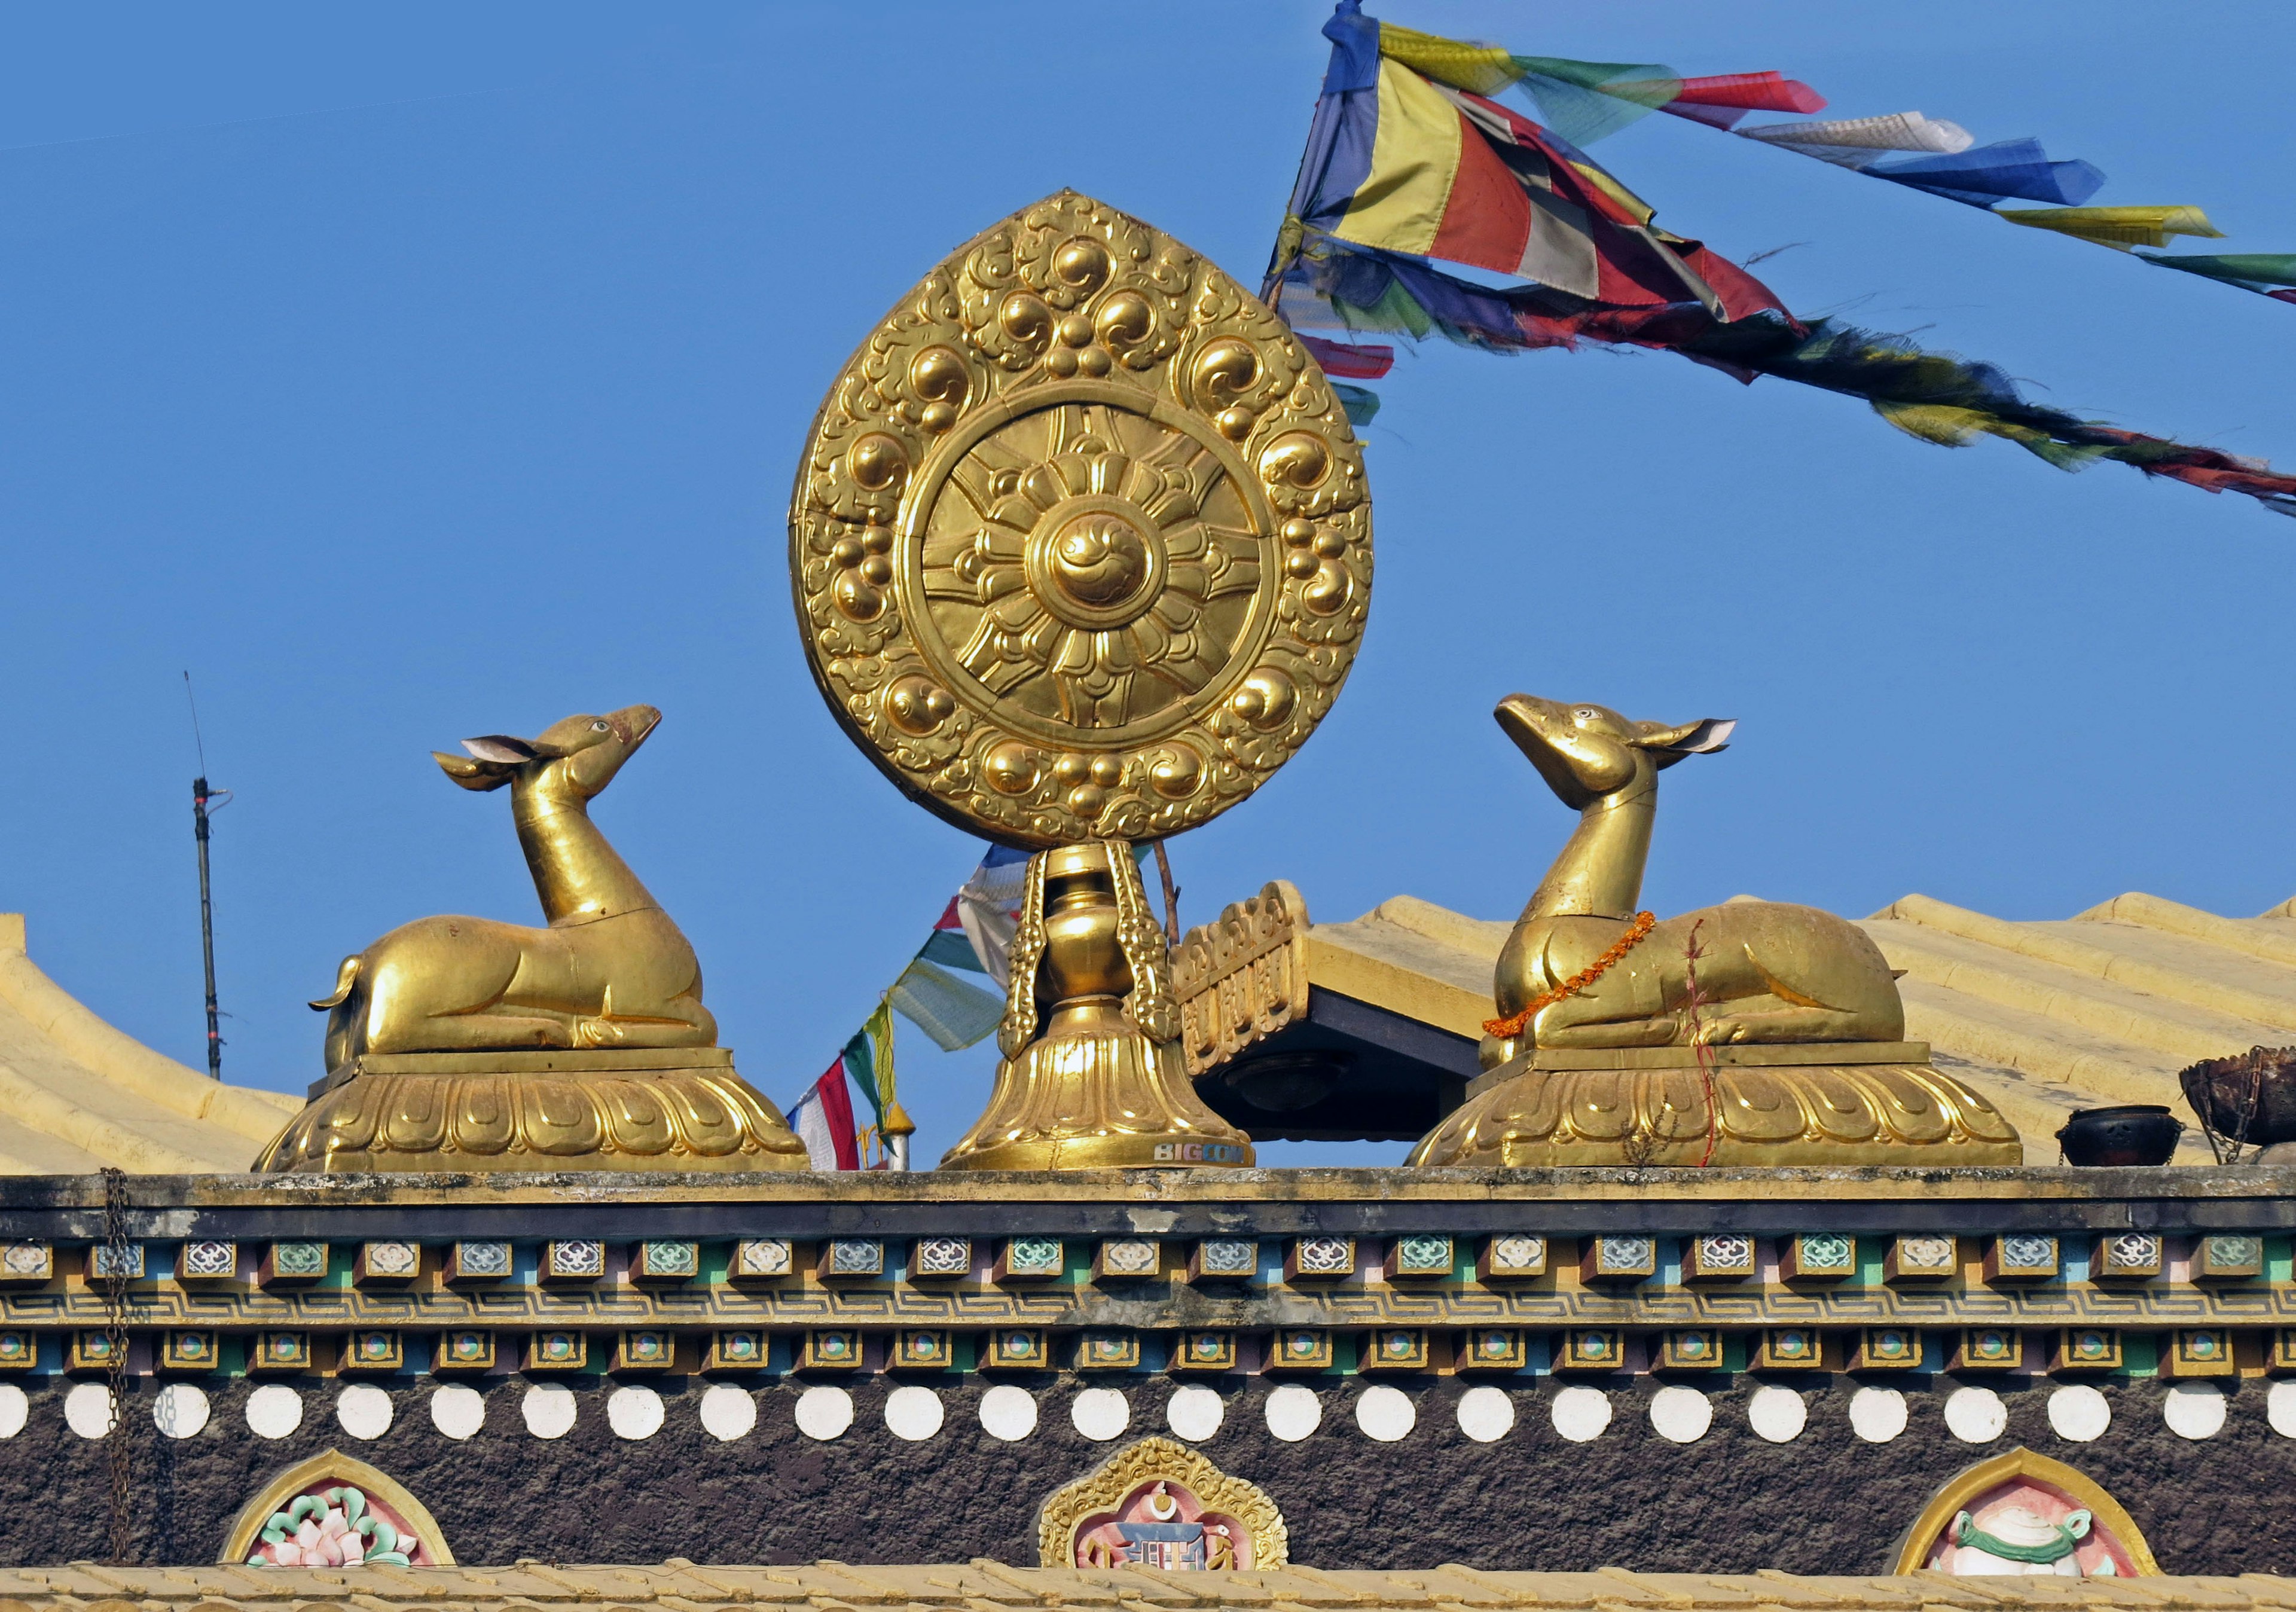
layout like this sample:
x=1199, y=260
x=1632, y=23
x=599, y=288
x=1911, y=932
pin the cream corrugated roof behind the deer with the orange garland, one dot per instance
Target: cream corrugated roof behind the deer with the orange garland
x=2045, y=1018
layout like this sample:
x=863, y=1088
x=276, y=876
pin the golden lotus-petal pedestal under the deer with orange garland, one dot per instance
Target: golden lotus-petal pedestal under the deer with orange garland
x=1806, y=1103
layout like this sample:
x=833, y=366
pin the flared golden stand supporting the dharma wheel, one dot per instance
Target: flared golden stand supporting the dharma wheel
x=1092, y=1074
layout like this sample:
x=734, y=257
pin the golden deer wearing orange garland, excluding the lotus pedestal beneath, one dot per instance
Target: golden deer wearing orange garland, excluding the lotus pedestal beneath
x=1767, y=972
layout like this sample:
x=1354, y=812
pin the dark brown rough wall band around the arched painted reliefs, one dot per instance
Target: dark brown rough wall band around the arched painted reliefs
x=1730, y=1503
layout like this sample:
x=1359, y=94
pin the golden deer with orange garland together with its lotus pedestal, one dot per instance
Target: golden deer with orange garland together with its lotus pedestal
x=1737, y=1034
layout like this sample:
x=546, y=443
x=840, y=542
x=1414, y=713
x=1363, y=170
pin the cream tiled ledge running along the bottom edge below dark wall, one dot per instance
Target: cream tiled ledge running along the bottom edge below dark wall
x=979, y=1586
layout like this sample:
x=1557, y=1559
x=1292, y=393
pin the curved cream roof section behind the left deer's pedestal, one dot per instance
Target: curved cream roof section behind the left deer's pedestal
x=77, y=1094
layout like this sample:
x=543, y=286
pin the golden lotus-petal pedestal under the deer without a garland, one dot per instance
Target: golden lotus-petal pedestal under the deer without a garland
x=676, y=1110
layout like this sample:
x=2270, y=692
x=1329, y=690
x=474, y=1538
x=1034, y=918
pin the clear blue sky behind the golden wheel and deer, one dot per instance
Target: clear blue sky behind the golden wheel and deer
x=424, y=371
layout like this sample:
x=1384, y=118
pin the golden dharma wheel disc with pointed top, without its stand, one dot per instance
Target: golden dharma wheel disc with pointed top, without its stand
x=1080, y=538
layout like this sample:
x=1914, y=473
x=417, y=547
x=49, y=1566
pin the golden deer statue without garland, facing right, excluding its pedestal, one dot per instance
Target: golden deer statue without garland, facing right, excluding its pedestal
x=610, y=970
